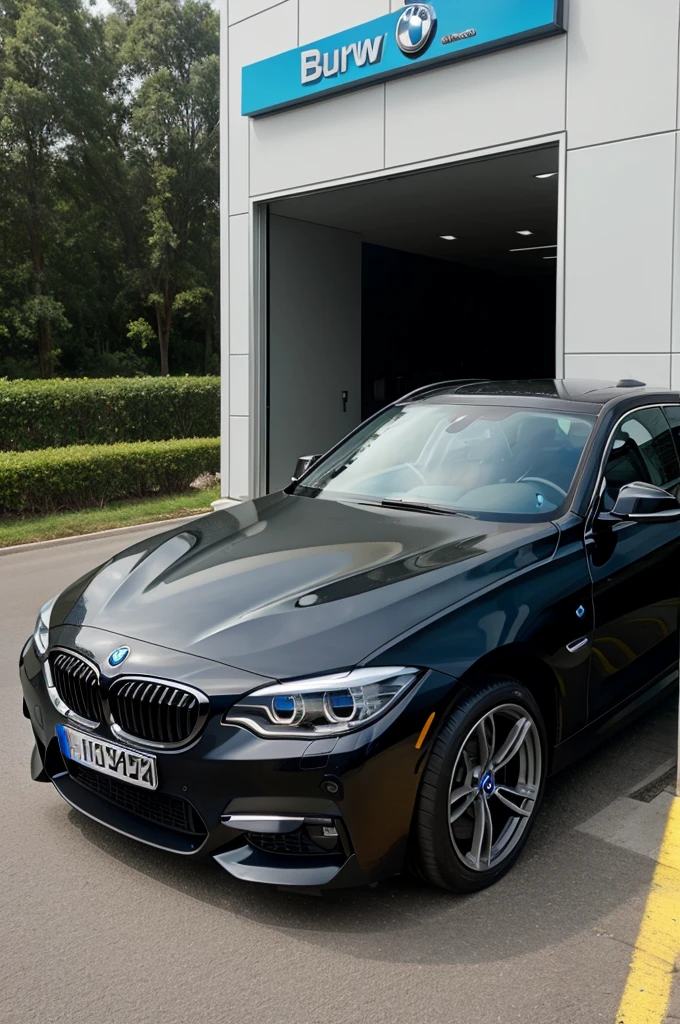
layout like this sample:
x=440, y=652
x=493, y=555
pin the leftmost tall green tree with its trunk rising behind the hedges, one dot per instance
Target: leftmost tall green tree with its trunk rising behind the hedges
x=54, y=89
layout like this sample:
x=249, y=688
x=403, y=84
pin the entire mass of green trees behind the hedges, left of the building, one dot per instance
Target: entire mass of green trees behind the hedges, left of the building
x=109, y=188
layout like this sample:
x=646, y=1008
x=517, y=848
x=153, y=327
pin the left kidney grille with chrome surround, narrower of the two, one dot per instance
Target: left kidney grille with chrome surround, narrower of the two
x=73, y=687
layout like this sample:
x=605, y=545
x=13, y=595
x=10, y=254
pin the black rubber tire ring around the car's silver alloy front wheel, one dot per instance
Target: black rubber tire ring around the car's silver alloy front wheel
x=439, y=861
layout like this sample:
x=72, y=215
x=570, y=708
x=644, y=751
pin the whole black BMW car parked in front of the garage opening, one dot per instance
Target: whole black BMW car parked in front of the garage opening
x=381, y=665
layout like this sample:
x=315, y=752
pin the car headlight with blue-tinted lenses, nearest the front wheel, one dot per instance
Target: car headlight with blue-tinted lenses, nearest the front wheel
x=329, y=706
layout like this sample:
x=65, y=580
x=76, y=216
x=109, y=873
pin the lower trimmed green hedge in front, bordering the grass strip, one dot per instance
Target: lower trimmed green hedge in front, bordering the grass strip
x=84, y=477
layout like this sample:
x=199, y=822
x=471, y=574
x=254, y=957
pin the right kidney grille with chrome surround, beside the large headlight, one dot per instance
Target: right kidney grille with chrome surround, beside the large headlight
x=156, y=713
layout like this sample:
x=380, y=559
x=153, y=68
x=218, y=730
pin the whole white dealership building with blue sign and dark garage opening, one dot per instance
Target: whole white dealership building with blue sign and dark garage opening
x=456, y=190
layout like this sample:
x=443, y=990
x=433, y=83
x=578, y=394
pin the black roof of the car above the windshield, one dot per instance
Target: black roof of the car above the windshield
x=586, y=396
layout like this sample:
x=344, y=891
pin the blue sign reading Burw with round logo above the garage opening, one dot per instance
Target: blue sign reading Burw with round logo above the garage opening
x=418, y=37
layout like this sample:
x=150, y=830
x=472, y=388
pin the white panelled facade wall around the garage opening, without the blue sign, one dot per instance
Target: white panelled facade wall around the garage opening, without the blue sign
x=611, y=86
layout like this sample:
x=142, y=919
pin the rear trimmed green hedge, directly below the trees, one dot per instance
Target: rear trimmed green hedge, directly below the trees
x=56, y=414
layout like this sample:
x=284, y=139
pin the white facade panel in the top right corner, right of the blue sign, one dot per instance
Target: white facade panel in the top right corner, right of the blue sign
x=623, y=69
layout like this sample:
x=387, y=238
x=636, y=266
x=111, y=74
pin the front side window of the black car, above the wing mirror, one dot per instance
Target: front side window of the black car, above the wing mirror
x=644, y=451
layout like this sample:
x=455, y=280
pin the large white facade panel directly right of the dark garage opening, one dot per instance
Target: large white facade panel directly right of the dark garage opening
x=620, y=210
